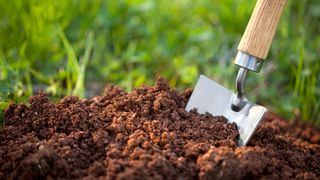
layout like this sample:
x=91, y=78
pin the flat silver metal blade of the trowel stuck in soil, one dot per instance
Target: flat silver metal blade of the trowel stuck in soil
x=209, y=96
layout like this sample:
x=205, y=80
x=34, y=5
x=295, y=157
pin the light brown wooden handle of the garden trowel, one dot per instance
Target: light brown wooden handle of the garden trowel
x=260, y=30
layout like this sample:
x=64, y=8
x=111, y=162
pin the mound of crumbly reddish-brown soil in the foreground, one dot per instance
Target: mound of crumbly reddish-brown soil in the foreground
x=146, y=134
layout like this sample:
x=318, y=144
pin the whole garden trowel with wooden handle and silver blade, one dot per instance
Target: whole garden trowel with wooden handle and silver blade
x=209, y=96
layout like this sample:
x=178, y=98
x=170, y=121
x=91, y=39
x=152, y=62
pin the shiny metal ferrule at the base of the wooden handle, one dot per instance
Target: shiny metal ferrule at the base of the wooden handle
x=249, y=62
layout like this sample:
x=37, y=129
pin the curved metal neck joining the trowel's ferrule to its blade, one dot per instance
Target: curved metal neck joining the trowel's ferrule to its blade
x=240, y=99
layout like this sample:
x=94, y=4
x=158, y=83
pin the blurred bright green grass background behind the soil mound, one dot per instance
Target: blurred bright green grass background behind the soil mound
x=76, y=47
